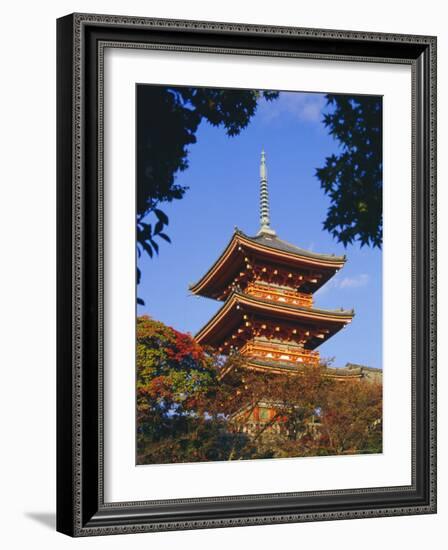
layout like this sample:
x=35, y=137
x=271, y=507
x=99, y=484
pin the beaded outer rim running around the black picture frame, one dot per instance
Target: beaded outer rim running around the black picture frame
x=69, y=453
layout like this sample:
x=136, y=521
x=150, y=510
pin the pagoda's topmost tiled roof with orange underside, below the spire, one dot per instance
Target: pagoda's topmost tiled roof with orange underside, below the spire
x=266, y=247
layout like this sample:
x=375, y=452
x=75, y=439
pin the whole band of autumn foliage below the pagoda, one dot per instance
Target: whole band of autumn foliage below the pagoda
x=186, y=409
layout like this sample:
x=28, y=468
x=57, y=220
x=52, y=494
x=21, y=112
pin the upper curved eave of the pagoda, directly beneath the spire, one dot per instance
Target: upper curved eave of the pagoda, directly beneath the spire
x=223, y=270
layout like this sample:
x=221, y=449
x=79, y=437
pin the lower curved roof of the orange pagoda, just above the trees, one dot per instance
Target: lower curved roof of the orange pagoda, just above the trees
x=229, y=317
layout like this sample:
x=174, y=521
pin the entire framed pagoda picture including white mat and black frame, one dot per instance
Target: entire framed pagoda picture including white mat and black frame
x=246, y=274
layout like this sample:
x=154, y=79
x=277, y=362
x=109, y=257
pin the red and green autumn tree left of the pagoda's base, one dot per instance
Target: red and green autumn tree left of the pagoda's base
x=179, y=414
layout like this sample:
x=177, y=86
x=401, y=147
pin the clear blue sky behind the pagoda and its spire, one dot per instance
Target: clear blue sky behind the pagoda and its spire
x=223, y=193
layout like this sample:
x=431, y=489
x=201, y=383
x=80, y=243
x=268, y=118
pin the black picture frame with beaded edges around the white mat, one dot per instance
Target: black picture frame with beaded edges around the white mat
x=81, y=510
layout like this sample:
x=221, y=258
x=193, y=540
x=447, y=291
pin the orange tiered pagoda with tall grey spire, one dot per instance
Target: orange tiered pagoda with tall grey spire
x=268, y=315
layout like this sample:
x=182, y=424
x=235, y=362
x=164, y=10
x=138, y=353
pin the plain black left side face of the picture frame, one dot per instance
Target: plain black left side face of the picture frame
x=65, y=371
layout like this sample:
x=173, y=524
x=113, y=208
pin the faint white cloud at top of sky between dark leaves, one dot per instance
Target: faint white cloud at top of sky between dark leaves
x=305, y=107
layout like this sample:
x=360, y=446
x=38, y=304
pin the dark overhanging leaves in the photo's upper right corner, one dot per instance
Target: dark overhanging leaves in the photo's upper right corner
x=353, y=177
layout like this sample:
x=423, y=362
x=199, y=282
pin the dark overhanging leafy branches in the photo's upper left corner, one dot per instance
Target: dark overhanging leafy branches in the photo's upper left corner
x=168, y=119
